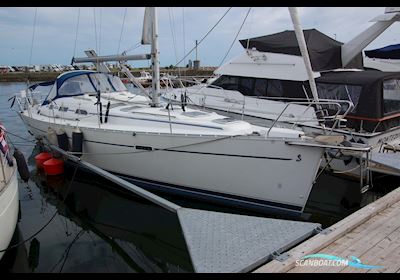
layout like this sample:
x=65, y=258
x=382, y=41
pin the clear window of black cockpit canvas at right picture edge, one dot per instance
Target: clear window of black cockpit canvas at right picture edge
x=391, y=96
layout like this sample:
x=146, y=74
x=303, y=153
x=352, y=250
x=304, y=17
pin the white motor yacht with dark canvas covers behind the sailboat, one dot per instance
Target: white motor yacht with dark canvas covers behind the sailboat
x=269, y=83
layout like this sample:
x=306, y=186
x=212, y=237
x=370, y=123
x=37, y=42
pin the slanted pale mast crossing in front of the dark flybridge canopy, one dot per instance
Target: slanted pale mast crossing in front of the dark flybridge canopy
x=303, y=49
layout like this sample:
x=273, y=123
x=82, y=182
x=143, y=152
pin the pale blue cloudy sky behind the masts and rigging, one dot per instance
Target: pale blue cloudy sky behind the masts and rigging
x=56, y=29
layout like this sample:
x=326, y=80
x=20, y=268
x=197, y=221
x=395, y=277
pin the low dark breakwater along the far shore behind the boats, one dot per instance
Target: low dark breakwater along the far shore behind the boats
x=46, y=76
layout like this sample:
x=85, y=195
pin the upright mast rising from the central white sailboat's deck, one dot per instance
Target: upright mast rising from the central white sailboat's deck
x=155, y=61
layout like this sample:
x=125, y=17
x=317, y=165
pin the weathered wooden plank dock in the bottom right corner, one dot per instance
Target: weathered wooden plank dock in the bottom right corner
x=371, y=234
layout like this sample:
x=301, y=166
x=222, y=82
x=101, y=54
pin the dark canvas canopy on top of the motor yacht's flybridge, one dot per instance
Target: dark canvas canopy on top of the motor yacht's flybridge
x=325, y=52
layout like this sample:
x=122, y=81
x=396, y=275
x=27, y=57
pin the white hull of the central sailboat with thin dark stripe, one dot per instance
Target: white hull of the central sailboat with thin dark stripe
x=252, y=170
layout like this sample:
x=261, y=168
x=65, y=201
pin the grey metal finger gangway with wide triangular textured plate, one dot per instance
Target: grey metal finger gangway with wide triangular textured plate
x=221, y=242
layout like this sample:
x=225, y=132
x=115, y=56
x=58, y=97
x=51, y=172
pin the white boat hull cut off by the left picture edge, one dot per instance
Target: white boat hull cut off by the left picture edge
x=8, y=194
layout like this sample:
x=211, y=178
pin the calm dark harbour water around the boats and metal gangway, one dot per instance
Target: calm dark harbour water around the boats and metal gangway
x=96, y=226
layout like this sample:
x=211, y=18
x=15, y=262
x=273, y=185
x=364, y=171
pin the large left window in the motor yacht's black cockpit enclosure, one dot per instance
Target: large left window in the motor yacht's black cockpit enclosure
x=339, y=92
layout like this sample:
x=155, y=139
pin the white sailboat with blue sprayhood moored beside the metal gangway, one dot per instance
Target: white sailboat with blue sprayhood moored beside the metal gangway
x=174, y=148
